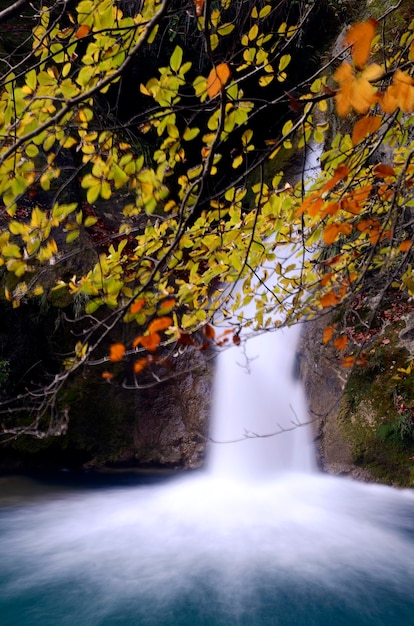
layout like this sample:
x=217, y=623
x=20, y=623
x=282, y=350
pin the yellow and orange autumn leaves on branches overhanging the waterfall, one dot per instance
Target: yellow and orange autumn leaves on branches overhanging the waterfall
x=191, y=178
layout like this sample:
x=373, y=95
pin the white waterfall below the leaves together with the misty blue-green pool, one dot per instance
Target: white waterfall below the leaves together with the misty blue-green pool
x=259, y=538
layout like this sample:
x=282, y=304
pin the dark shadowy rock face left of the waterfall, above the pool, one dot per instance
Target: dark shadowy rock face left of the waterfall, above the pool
x=162, y=426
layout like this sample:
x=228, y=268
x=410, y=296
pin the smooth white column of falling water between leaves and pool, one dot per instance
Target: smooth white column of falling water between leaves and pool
x=257, y=392
